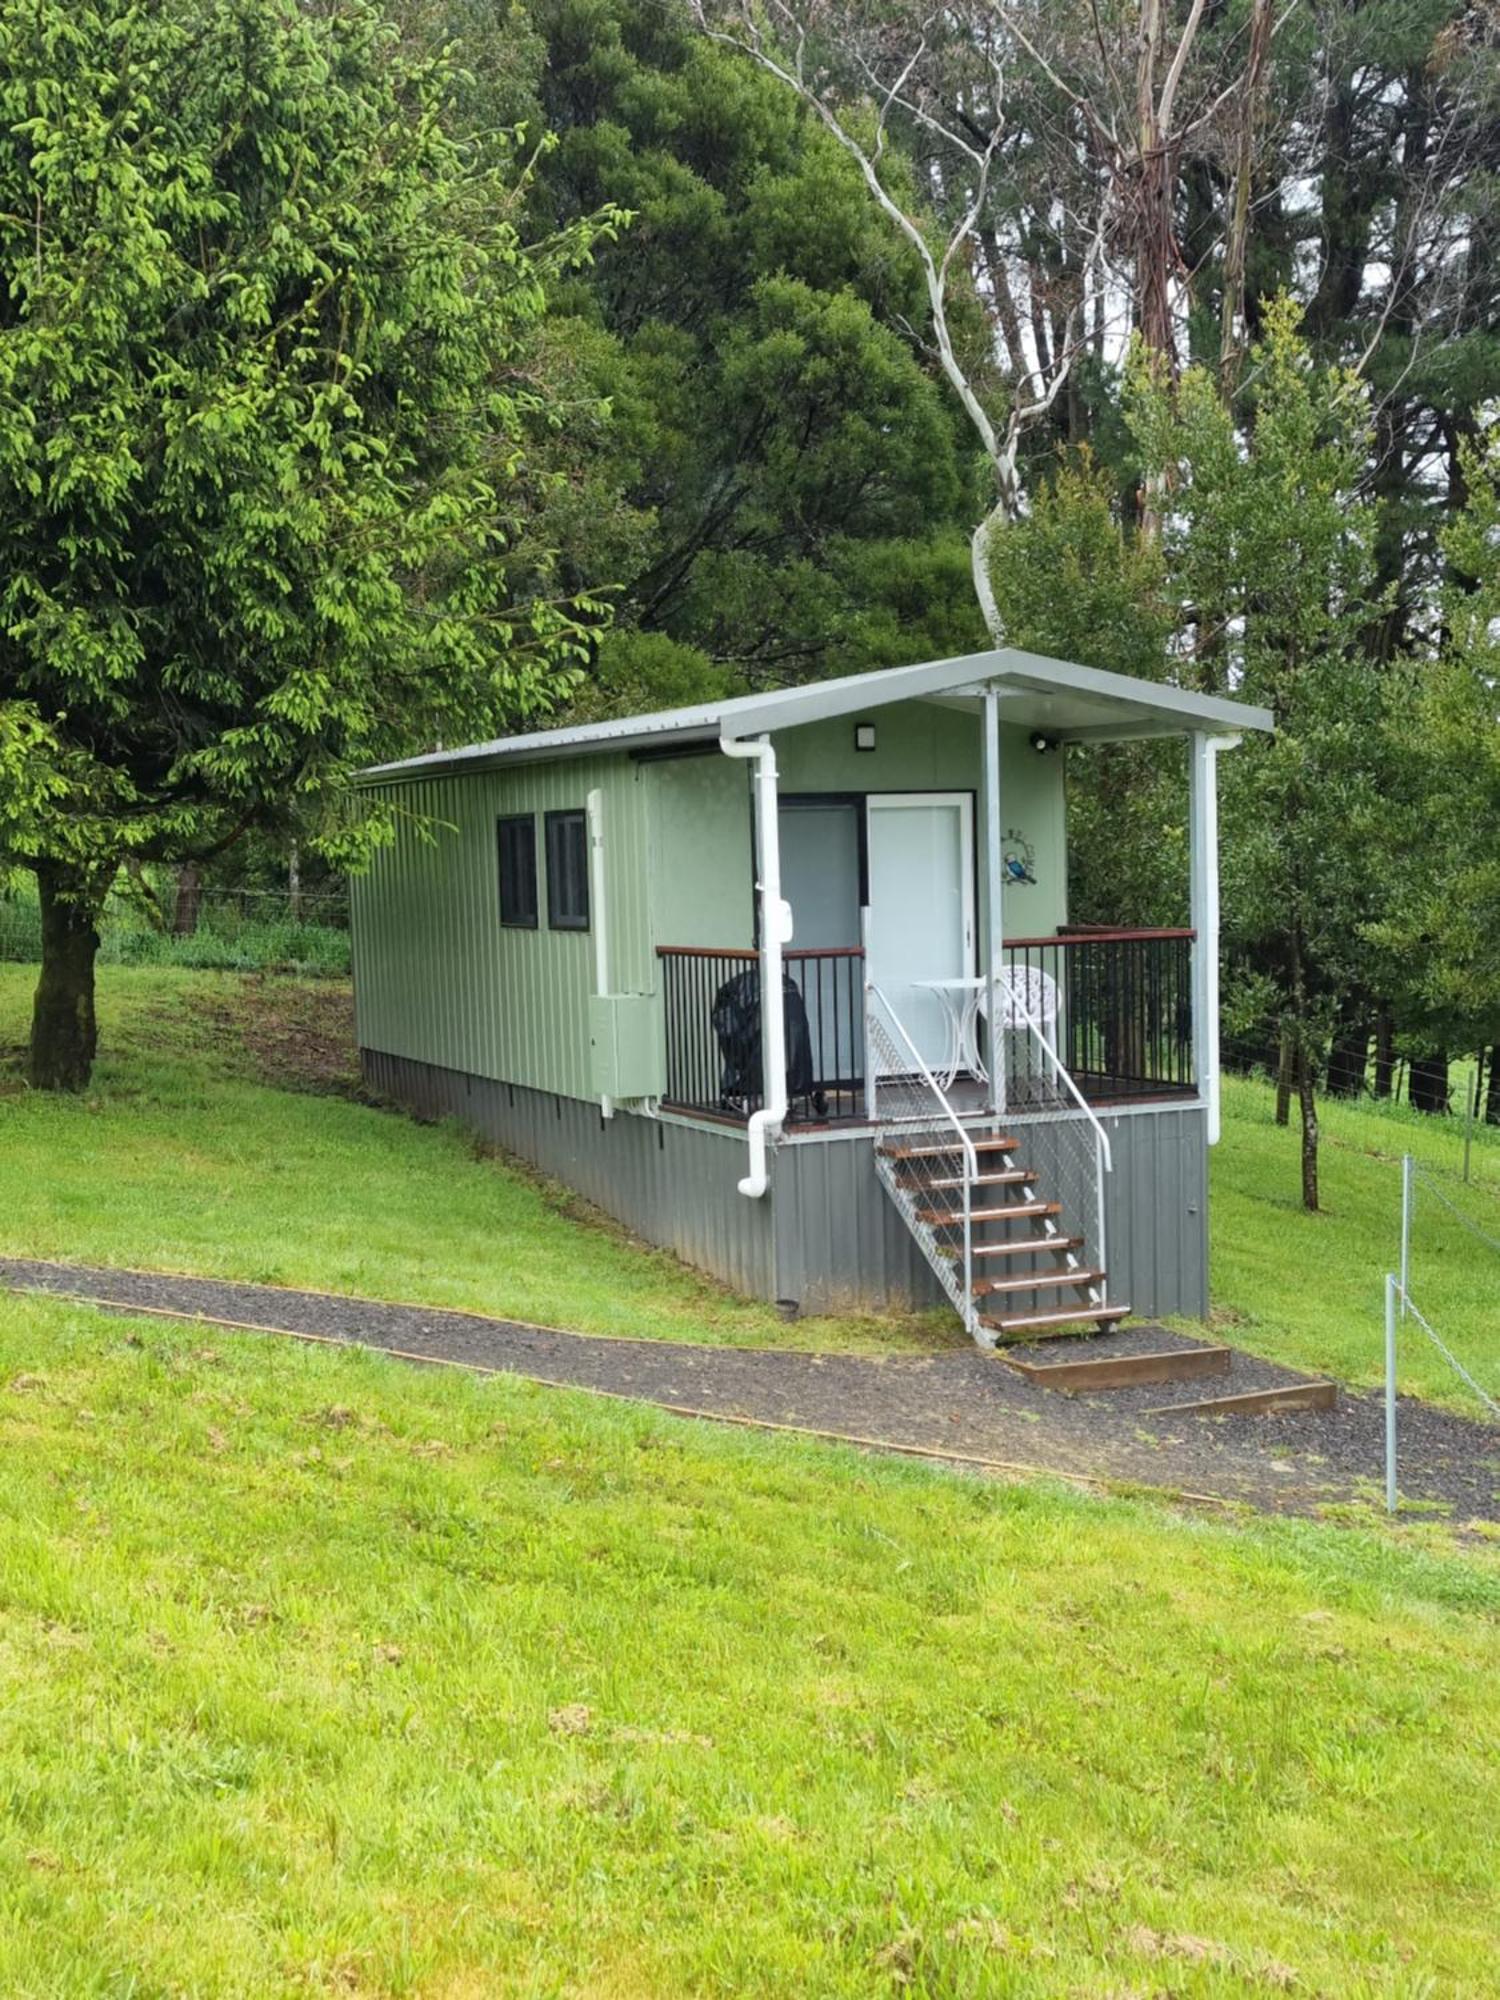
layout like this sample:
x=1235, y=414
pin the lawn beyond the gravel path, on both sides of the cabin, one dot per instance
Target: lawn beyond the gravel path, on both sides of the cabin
x=185, y=1159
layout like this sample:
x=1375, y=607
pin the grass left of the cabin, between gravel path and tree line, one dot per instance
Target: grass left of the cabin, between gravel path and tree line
x=181, y=1157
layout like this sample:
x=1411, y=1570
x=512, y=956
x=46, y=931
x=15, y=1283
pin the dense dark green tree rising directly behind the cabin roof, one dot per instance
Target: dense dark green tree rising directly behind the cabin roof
x=781, y=463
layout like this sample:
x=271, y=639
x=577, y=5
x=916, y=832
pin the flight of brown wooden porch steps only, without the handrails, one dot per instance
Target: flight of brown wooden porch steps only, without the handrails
x=989, y=1215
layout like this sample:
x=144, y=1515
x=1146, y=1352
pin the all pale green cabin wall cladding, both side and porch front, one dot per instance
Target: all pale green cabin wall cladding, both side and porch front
x=443, y=983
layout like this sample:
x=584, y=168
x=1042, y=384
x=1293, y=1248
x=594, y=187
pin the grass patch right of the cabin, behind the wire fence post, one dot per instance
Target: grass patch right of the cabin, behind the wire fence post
x=1309, y=1291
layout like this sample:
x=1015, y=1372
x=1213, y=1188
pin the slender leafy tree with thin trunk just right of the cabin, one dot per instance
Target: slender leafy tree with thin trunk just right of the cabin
x=1269, y=549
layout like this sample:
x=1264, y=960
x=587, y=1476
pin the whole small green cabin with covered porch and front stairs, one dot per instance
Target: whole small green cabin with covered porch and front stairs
x=789, y=985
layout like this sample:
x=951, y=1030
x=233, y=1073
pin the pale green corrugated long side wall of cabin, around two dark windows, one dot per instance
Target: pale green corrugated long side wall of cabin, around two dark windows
x=439, y=979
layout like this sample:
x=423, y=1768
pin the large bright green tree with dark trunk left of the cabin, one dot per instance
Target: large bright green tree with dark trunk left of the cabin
x=263, y=435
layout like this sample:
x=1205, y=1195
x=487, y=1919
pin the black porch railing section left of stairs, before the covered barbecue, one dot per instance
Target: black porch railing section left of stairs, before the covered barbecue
x=713, y=1033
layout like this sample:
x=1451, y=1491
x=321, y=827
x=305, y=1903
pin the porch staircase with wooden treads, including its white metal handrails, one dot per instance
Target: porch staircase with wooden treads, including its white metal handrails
x=1009, y=1253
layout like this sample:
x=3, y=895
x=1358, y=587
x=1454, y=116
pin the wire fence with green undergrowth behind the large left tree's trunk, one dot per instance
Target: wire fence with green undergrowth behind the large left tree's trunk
x=217, y=929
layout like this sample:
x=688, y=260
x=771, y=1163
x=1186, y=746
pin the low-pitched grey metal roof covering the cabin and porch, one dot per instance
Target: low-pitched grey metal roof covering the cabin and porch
x=1059, y=697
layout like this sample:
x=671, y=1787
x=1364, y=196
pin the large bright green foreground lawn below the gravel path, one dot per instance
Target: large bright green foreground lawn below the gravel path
x=321, y=1675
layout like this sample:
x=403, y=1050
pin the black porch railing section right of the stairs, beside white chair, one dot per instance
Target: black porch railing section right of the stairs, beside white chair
x=1119, y=1009
